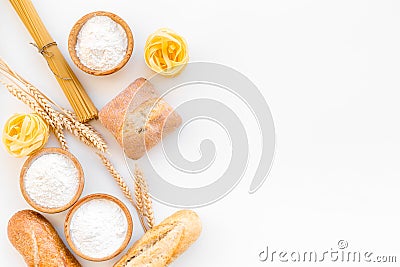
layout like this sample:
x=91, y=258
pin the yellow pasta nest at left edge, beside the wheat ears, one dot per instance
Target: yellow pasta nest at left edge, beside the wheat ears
x=24, y=134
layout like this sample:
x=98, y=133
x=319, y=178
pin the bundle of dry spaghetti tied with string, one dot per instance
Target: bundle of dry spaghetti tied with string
x=73, y=90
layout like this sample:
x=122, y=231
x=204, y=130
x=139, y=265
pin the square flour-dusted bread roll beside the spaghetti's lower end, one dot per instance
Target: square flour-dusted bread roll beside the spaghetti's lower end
x=138, y=118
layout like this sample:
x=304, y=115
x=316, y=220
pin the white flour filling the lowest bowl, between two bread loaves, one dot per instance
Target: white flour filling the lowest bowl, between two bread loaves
x=98, y=228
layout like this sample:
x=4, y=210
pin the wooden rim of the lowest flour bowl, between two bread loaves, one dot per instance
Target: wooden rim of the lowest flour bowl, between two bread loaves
x=77, y=206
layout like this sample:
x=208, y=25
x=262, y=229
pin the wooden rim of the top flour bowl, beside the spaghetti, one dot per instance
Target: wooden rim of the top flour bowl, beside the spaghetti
x=74, y=35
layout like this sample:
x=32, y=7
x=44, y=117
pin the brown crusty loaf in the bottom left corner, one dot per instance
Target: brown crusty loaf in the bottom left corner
x=38, y=242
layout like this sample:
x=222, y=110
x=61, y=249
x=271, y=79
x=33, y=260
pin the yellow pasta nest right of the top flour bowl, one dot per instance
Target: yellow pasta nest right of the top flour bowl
x=166, y=52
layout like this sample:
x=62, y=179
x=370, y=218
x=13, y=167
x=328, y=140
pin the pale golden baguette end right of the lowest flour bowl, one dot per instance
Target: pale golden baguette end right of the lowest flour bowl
x=165, y=242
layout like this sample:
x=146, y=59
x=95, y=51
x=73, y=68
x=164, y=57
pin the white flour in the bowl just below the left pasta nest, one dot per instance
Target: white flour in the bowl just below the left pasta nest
x=51, y=180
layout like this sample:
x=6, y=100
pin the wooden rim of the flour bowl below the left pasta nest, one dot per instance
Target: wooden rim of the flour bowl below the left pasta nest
x=28, y=163
